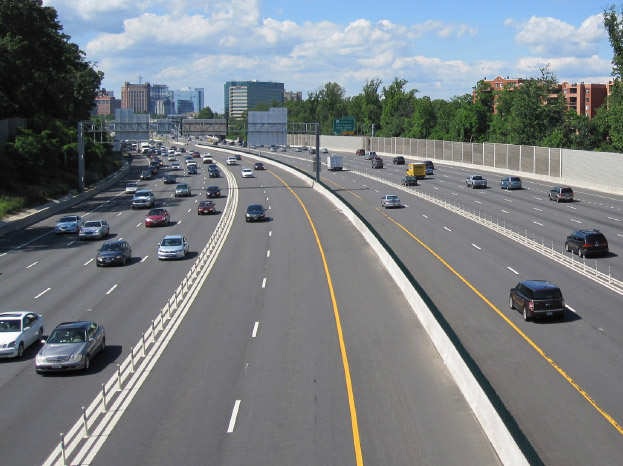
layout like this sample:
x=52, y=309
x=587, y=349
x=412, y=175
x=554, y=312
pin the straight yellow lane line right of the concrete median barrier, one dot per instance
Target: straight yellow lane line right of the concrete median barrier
x=517, y=329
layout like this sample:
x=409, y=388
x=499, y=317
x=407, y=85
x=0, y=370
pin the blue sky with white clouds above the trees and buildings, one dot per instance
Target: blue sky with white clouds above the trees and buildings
x=442, y=49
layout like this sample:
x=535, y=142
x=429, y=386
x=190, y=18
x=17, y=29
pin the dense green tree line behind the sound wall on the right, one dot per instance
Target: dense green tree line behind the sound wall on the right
x=533, y=113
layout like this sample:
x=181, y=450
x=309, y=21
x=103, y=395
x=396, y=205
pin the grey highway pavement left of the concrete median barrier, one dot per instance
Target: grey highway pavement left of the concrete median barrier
x=260, y=364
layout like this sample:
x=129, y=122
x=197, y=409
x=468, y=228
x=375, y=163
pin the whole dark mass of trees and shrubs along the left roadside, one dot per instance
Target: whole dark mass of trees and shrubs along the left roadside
x=45, y=79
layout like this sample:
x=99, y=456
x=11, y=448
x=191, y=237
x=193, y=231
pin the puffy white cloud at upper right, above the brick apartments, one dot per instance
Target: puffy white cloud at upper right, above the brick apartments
x=556, y=38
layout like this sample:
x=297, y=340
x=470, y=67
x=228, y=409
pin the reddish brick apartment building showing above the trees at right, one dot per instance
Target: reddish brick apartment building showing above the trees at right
x=582, y=98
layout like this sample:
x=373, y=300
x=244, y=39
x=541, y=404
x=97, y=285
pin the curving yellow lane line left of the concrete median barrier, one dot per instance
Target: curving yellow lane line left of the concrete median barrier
x=338, y=324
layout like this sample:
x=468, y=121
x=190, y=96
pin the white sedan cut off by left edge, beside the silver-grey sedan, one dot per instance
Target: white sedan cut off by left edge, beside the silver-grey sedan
x=19, y=330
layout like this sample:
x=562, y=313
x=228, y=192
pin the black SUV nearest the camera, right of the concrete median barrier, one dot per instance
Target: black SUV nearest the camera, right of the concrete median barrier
x=536, y=299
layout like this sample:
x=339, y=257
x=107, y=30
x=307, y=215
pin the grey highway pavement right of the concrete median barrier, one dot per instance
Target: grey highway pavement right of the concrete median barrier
x=559, y=379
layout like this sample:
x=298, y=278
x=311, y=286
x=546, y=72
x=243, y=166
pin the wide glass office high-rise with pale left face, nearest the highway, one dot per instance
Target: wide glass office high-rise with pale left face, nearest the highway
x=242, y=96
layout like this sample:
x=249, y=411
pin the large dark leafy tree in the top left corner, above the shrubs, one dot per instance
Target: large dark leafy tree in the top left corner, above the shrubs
x=41, y=72
